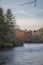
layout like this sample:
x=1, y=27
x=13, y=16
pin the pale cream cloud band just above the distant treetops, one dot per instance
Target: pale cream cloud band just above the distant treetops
x=30, y=23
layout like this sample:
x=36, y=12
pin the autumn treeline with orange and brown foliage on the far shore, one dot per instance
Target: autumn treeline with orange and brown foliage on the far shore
x=29, y=36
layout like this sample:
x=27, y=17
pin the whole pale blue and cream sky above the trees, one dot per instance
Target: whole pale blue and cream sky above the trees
x=27, y=16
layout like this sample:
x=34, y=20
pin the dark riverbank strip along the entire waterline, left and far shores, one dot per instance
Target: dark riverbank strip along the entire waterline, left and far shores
x=15, y=45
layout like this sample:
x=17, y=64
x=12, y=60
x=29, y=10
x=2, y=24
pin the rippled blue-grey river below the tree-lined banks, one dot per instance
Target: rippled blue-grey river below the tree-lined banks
x=29, y=54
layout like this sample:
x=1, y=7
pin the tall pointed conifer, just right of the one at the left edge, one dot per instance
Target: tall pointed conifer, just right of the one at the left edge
x=10, y=27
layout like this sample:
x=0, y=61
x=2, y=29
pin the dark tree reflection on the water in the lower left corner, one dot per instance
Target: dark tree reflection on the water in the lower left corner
x=6, y=57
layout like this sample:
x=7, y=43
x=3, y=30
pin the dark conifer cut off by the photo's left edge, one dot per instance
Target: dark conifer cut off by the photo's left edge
x=2, y=26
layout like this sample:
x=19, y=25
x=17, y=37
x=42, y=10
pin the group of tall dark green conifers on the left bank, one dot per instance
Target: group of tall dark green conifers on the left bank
x=7, y=28
